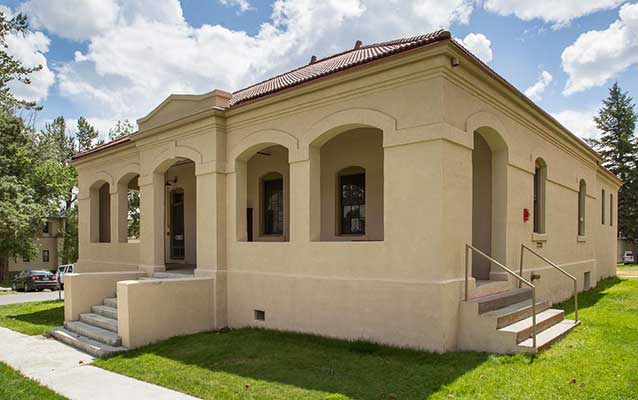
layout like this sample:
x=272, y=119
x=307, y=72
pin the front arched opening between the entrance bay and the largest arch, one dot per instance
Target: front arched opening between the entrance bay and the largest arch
x=263, y=195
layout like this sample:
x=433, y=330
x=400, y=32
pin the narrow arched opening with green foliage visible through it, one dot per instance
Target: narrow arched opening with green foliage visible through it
x=128, y=196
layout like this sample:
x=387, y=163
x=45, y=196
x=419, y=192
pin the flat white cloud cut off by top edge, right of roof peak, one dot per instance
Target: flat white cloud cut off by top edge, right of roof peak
x=558, y=12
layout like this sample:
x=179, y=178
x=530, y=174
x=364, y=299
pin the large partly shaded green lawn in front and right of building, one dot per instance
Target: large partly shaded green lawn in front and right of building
x=596, y=361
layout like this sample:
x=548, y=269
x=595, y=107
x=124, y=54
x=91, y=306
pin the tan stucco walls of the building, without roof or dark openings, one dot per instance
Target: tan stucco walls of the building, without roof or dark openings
x=404, y=289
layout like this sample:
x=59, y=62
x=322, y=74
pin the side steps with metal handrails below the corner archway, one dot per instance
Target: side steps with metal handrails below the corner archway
x=502, y=323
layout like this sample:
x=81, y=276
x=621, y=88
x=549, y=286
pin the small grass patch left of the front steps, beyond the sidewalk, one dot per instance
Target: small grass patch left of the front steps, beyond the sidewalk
x=33, y=318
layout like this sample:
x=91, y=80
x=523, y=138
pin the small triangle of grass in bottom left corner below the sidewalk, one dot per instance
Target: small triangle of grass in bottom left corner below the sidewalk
x=14, y=386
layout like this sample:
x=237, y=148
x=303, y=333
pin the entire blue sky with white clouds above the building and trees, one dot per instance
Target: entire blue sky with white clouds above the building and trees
x=116, y=59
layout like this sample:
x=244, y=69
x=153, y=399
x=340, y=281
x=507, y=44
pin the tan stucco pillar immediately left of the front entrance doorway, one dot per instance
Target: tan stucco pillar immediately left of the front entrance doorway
x=152, y=222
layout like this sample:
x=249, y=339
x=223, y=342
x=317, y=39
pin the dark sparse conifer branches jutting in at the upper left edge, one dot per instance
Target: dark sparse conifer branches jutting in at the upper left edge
x=12, y=69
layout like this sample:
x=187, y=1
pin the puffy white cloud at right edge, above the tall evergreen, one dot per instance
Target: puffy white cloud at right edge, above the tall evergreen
x=596, y=56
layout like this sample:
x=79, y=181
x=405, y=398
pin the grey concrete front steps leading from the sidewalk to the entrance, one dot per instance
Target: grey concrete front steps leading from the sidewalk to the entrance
x=95, y=333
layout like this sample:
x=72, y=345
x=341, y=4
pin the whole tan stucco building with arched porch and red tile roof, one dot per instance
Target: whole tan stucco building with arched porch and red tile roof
x=338, y=199
